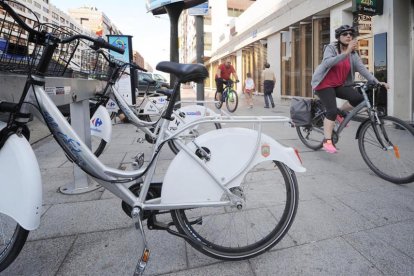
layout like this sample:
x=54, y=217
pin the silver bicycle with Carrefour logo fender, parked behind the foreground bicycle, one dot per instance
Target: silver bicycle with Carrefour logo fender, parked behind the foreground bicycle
x=142, y=118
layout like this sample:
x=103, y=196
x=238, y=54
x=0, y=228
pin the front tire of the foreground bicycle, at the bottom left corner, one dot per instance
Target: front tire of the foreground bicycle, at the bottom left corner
x=11, y=245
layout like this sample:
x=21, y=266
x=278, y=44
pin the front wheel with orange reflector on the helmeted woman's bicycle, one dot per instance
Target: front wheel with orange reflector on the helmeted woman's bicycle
x=395, y=161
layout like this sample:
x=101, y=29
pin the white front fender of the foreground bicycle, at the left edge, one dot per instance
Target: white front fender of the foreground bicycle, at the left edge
x=21, y=184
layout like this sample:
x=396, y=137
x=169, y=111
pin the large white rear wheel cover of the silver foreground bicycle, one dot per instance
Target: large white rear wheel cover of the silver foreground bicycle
x=230, y=149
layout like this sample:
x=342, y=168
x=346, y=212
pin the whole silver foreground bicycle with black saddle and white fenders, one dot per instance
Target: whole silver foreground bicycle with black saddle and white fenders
x=215, y=202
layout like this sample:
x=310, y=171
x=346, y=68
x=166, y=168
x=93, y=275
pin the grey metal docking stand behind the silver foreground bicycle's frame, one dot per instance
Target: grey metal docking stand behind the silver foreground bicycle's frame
x=62, y=91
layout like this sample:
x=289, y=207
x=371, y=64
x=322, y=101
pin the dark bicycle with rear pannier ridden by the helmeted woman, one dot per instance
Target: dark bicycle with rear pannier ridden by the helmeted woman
x=386, y=143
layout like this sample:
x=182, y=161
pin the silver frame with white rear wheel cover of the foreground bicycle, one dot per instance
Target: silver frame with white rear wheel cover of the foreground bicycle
x=172, y=197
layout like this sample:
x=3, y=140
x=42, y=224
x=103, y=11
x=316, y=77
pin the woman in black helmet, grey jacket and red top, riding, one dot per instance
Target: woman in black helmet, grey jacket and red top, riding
x=334, y=78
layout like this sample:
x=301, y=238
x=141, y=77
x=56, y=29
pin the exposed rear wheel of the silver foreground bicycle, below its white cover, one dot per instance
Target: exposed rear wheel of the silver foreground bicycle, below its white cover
x=276, y=221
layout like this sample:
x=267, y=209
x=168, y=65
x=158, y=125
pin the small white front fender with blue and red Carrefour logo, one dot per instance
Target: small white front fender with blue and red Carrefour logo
x=101, y=125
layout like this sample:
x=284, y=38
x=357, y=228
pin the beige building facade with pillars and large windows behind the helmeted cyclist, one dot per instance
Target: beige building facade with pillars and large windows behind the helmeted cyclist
x=291, y=35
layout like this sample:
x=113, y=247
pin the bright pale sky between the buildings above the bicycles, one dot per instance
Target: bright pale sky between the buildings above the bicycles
x=151, y=35
